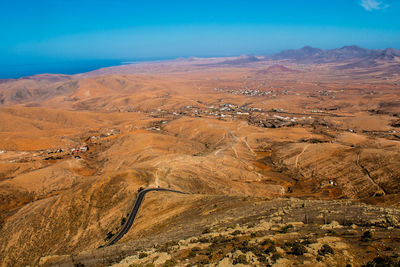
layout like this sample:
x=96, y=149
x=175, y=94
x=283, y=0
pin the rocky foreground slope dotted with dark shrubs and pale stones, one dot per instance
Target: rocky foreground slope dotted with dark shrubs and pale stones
x=259, y=232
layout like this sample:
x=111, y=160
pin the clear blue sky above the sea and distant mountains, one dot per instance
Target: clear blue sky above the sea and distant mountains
x=56, y=30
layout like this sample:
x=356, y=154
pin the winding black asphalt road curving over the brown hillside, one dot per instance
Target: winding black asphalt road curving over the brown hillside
x=128, y=224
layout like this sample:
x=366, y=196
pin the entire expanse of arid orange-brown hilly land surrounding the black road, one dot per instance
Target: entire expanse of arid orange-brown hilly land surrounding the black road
x=314, y=146
